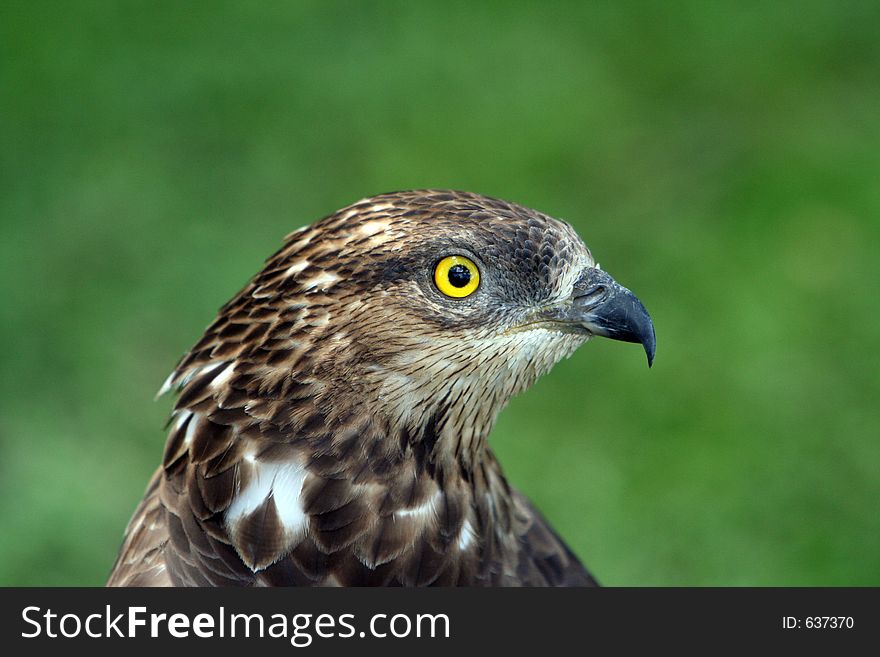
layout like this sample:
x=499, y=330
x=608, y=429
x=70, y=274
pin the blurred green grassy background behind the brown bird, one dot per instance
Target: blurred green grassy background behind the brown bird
x=722, y=160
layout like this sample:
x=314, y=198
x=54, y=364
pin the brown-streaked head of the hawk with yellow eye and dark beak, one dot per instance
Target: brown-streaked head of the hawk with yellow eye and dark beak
x=428, y=308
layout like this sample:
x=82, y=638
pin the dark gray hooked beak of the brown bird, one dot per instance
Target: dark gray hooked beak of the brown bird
x=603, y=307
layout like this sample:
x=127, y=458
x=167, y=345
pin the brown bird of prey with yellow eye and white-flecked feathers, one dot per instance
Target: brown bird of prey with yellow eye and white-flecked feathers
x=331, y=424
